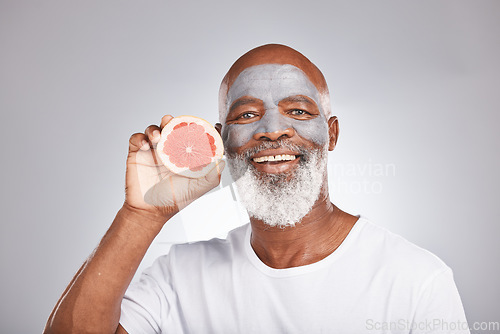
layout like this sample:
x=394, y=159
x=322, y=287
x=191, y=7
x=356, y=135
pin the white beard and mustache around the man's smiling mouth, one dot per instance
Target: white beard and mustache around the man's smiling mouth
x=279, y=199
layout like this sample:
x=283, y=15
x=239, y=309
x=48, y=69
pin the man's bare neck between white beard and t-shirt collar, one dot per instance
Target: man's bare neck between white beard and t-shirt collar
x=319, y=233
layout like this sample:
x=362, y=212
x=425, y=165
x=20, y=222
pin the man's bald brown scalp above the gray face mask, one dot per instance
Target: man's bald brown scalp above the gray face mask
x=274, y=54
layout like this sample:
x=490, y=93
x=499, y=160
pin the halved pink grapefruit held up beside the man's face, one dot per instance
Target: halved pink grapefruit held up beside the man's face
x=190, y=146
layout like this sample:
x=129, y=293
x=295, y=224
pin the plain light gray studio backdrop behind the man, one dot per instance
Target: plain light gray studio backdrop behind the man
x=414, y=83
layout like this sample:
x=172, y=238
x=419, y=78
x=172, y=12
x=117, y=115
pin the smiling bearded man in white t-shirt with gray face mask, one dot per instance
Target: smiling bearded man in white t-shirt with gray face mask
x=300, y=266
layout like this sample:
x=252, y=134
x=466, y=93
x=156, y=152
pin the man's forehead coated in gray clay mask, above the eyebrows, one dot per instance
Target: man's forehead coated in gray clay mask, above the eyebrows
x=272, y=82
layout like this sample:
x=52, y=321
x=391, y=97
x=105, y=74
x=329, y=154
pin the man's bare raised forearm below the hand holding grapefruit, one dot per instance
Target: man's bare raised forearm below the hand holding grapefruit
x=91, y=302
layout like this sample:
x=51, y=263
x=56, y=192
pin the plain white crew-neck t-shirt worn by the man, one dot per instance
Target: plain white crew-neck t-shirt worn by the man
x=375, y=282
